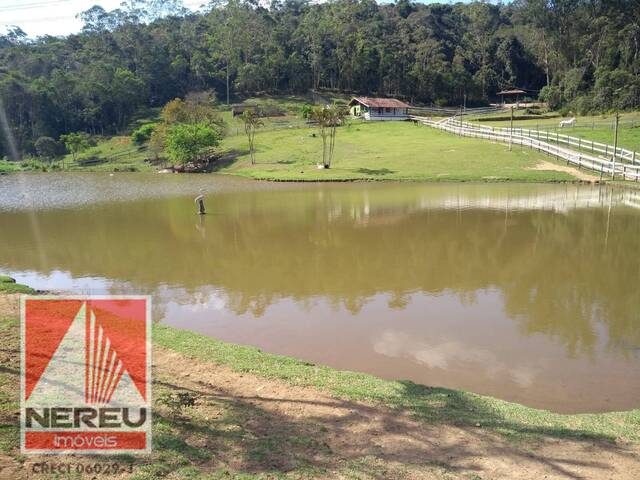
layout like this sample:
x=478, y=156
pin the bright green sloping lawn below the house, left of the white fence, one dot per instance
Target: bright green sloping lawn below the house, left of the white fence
x=382, y=151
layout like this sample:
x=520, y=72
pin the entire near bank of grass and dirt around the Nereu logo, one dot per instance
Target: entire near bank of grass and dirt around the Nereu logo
x=234, y=412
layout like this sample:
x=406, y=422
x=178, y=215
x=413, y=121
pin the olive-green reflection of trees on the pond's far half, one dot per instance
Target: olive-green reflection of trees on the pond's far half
x=561, y=262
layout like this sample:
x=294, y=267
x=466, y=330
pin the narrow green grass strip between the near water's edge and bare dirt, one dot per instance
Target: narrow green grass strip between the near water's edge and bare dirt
x=430, y=404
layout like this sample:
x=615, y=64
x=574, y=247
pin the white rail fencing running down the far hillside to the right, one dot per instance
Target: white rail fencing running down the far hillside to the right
x=537, y=141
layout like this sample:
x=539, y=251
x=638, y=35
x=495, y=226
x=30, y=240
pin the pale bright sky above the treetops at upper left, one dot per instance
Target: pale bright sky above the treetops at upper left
x=55, y=17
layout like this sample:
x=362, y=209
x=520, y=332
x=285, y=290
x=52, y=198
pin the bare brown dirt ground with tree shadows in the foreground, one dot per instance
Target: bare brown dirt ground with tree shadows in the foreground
x=245, y=424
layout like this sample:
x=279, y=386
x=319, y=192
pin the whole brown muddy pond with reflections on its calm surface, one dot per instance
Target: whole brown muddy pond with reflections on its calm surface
x=530, y=293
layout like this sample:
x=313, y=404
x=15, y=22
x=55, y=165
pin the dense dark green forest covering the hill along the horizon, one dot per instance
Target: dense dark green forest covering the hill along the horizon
x=580, y=55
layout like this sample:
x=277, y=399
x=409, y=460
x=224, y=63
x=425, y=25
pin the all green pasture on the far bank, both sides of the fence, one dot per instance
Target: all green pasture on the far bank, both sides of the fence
x=289, y=149
